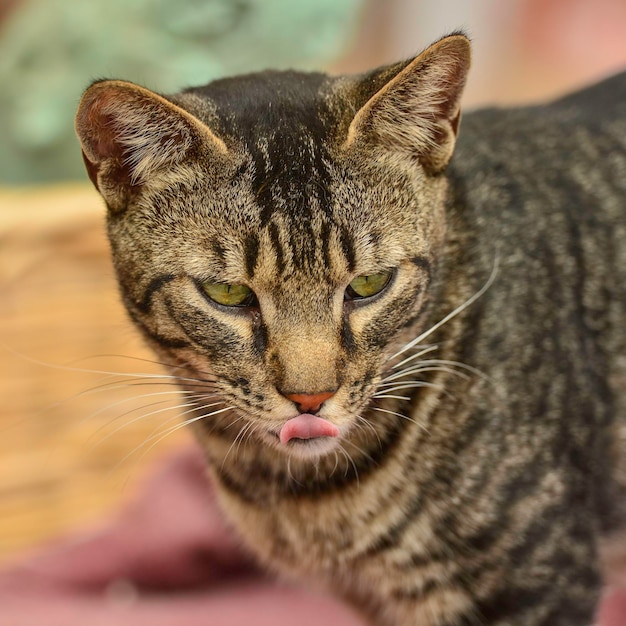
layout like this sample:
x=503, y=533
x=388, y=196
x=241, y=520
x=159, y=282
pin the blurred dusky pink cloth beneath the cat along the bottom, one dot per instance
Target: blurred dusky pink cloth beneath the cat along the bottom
x=170, y=560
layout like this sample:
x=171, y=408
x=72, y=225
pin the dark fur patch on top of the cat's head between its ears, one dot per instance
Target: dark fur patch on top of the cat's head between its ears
x=285, y=125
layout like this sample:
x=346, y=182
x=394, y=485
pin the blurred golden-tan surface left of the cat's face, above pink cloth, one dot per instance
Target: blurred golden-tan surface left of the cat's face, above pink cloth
x=72, y=440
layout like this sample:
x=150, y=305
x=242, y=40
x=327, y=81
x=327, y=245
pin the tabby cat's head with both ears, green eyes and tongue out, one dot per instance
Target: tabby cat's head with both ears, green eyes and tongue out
x=275, y=234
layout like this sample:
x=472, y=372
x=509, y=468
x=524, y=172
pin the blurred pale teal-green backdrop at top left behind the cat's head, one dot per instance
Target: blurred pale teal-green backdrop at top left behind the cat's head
x=50, y=50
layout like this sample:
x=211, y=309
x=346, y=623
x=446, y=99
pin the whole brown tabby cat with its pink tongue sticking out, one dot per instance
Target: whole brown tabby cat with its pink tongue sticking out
x=408, y=366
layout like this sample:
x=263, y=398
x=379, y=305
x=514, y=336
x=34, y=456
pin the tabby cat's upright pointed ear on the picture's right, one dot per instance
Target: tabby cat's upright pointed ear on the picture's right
x=416, y=110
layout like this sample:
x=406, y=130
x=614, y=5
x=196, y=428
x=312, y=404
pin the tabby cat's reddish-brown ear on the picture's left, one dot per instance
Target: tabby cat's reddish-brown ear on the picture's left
x=129, y=135
